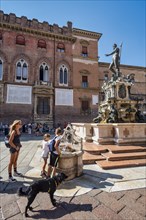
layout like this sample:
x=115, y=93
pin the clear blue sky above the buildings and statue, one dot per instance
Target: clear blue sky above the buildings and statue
x=122, y=21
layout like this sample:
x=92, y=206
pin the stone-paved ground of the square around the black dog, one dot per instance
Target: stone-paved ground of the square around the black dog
x=95, y=204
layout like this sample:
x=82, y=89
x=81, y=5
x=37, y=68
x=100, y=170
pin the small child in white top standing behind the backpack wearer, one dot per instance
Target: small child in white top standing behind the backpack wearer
x=45, y=153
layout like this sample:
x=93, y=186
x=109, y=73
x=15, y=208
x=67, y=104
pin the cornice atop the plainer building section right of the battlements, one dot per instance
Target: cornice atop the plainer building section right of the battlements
x=86, y=33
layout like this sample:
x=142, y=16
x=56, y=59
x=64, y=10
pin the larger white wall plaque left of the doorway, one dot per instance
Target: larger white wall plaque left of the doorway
x=19, y=94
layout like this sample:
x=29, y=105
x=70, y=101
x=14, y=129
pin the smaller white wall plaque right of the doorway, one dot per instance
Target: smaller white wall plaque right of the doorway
x=64, y=97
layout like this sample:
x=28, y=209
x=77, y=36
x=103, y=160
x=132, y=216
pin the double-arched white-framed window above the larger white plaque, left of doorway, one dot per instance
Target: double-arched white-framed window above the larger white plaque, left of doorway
x=21, y=70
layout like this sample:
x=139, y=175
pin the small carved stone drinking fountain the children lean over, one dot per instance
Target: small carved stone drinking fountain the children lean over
x=70, y=161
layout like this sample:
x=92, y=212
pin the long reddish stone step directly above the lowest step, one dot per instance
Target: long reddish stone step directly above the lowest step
x=124, y=156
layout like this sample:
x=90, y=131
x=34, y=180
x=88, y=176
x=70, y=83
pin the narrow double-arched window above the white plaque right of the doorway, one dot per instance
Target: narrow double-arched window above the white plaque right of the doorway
x=63, y=75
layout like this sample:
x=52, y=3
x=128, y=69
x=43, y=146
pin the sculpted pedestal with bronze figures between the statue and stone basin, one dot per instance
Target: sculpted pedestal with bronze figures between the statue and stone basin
x=119, y=106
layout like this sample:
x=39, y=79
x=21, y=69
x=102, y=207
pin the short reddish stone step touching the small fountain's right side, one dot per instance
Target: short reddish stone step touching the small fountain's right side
x=90, y=158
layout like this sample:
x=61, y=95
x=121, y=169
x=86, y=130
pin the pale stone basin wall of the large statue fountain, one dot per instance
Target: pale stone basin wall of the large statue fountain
x=112, y=133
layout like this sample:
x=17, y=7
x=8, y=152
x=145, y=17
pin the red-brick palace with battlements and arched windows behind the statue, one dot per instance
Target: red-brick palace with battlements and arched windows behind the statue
x=50, y=73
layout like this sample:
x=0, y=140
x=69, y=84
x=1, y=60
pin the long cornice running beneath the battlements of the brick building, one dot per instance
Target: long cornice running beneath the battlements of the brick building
x=49, y=35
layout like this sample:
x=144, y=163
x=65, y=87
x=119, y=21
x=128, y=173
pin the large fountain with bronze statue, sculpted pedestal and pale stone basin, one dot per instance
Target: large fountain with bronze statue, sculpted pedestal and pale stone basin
x=119, y=120
